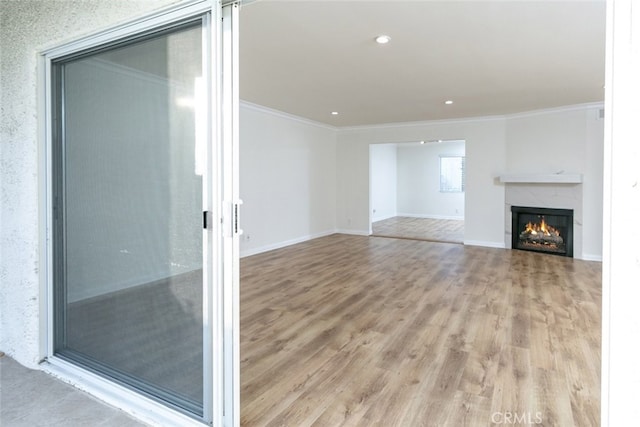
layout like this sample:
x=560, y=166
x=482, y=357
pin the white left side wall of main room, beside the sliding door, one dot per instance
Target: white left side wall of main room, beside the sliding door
x=287, y=179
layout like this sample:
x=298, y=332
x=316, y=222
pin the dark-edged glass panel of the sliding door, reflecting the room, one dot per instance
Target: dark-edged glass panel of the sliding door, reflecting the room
x=128, y=166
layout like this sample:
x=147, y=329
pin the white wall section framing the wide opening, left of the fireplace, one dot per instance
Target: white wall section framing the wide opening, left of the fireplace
x=485, y=159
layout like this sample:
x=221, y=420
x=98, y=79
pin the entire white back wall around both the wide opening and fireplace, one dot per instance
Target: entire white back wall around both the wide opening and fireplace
x=568, y=139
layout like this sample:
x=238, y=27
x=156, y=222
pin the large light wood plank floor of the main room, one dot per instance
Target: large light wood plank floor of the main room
x=366, y=331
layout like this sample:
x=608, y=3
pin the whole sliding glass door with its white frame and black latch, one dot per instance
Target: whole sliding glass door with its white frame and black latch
x=142, y=227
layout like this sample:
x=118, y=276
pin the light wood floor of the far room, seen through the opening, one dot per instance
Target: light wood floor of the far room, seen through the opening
x=437, y=230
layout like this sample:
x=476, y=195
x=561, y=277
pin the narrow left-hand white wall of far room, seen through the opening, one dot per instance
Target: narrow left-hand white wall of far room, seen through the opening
x=384, y=181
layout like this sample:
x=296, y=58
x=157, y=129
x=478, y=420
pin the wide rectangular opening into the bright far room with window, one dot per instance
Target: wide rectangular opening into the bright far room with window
x=417, y=190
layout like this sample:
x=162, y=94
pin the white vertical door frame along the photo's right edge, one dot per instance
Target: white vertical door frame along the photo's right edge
x=620, y=263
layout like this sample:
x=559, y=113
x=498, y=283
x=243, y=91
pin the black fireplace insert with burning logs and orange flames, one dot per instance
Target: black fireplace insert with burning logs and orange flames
x=542, y=230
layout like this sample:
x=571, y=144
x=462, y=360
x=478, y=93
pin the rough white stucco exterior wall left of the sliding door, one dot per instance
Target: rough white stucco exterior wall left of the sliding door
x=27, y=26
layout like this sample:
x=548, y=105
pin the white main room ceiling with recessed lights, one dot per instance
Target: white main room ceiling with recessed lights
x=310, y=58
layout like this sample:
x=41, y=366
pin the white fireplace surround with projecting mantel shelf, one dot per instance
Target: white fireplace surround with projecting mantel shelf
x=554, y=191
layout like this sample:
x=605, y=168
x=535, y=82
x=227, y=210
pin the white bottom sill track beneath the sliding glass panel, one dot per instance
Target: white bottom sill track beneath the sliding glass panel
x=129, y=401
